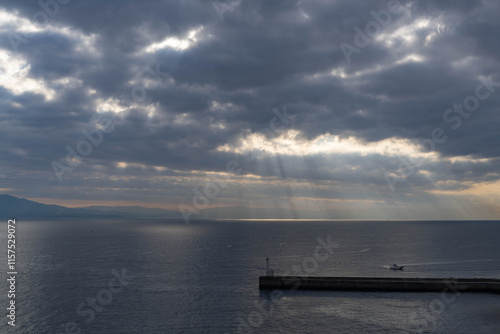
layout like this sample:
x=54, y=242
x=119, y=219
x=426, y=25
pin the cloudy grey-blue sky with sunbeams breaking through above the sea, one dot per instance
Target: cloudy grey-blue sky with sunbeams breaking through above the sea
x=305, y=109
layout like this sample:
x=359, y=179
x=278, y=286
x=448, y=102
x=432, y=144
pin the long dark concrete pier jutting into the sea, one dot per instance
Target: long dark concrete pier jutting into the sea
x=381, y=284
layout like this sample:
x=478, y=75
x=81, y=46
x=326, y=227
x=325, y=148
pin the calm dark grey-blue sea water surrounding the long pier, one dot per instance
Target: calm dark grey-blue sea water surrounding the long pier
x=152, y=276
